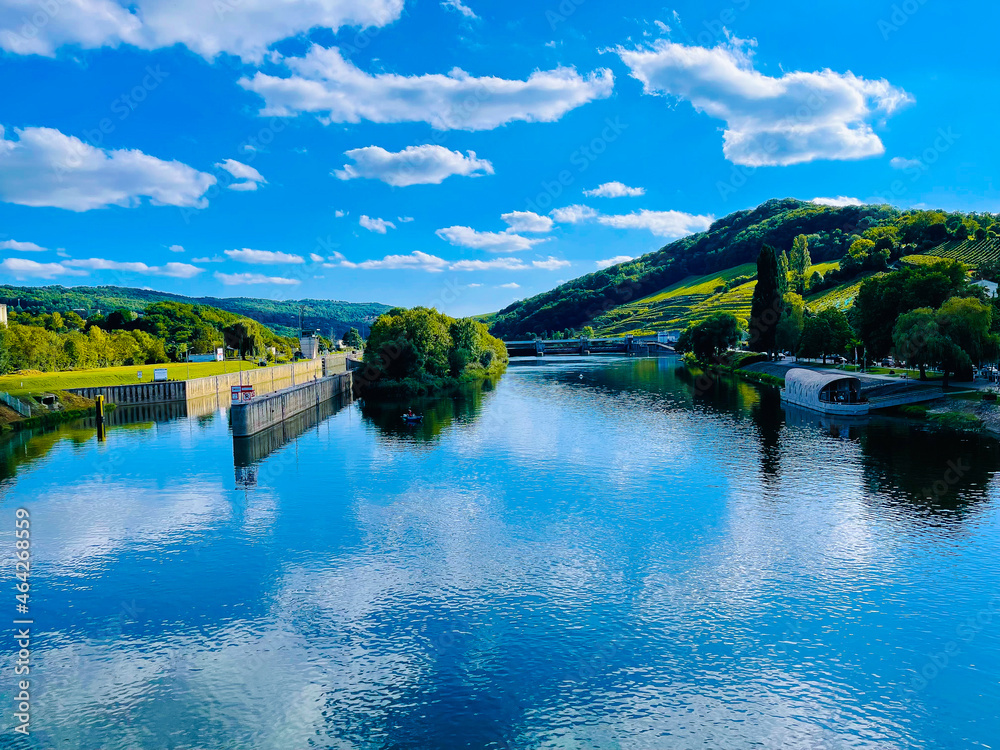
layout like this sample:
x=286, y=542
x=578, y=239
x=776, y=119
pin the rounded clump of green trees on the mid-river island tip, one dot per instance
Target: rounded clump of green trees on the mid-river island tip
x=421, y=351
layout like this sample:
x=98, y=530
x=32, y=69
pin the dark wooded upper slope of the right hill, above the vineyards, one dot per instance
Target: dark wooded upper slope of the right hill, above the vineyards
x=730, y=241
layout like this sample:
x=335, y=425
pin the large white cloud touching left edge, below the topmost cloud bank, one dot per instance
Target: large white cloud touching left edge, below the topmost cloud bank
x=47, y=168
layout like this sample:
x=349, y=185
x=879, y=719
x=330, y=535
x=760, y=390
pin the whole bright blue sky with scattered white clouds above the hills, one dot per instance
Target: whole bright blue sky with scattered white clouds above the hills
x=461, y=154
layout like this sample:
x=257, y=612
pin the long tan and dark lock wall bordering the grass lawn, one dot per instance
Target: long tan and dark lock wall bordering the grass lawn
x=270, y=378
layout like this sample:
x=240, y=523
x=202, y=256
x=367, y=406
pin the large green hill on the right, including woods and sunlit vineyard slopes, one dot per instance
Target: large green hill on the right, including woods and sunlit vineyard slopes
x=679, y=282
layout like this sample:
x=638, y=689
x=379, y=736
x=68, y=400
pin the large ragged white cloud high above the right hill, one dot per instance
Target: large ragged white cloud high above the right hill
x=799, y=117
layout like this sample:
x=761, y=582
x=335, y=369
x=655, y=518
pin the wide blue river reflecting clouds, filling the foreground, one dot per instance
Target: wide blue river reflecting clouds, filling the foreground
x=590, y=553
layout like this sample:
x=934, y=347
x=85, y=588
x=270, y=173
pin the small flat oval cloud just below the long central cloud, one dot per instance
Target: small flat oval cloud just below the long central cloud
x=414, y=165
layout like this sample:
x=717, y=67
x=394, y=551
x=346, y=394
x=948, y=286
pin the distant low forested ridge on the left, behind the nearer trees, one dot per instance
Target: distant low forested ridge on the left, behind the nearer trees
x=281, y=316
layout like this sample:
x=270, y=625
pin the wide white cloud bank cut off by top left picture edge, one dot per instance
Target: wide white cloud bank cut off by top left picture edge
x=245, y=28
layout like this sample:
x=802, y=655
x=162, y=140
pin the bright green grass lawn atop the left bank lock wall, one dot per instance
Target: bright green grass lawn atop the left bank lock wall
x=41, y=382
